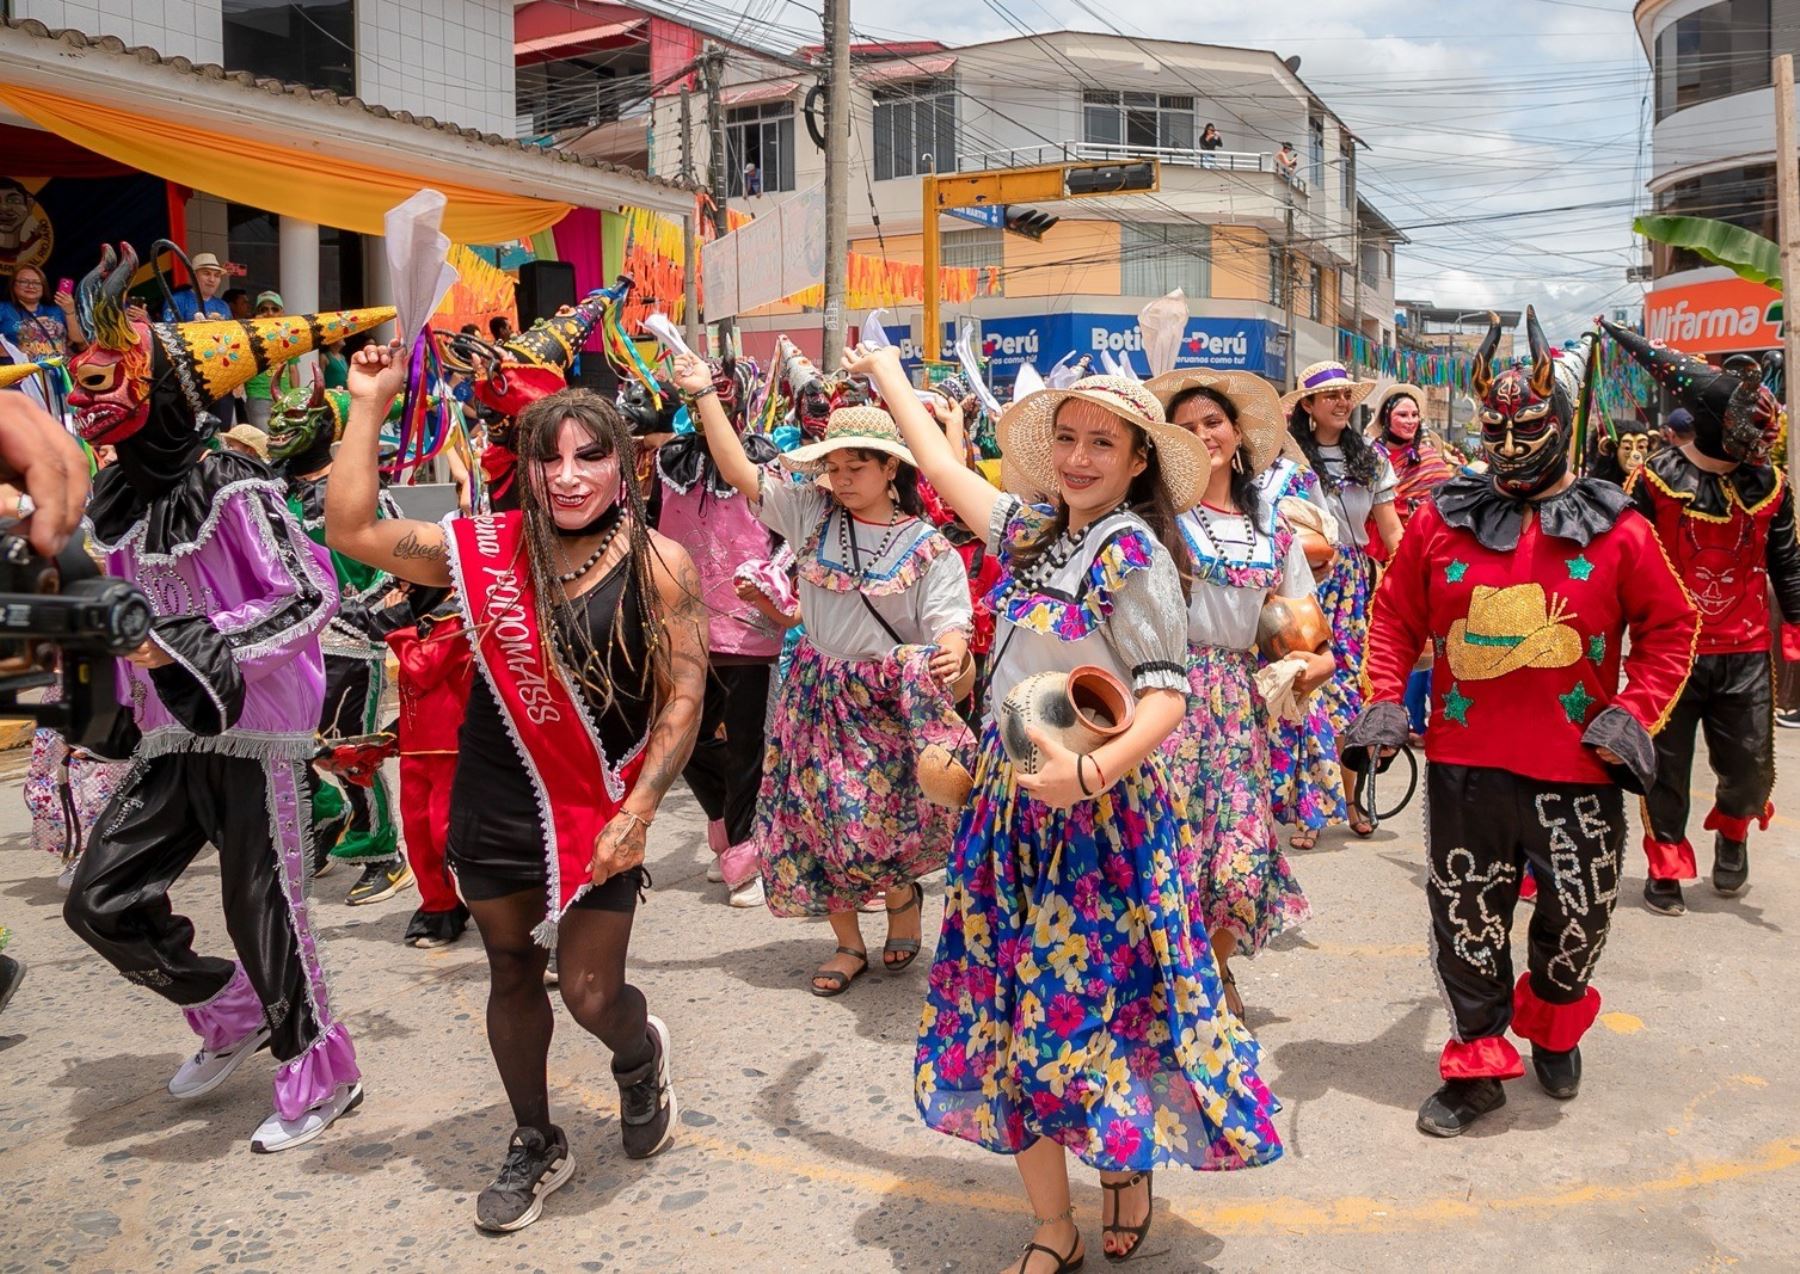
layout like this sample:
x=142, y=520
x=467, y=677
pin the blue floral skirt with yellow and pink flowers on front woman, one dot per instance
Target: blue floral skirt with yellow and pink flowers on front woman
x=1070, y=998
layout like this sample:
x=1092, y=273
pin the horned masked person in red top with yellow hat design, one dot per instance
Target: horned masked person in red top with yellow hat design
x=1527, y=600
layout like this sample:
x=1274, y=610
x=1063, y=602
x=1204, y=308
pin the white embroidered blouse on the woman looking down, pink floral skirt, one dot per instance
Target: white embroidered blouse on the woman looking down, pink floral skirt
x=912, y=575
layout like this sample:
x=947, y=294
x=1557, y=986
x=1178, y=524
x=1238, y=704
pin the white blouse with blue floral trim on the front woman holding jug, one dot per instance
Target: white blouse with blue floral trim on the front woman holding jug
x=1115, y=602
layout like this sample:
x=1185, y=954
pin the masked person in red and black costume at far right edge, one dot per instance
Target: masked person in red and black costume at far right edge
x=1732, y=539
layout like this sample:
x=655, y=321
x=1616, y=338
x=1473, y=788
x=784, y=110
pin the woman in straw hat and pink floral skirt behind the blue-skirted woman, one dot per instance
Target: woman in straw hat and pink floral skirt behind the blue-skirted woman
x=1219, y=757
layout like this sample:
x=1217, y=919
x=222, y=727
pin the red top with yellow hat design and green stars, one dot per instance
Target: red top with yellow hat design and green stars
x=1529, y=641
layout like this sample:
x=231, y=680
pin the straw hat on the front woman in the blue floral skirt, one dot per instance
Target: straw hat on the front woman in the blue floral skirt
x=1025, y=438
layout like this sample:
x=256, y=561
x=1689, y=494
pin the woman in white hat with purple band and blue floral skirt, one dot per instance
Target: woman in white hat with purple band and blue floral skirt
x=1356, y=487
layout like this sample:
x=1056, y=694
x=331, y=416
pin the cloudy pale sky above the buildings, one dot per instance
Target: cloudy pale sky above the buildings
x=1470, y=111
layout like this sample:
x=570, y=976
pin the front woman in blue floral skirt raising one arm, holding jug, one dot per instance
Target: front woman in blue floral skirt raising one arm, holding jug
x=1074, y=1010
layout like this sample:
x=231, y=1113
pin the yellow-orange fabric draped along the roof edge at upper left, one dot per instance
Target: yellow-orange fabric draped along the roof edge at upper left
x=292, y=183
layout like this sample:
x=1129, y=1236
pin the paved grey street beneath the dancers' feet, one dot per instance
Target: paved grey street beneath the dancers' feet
x=800, y=1147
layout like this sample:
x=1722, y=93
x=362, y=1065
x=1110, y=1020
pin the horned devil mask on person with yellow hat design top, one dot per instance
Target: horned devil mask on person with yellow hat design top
x=1525, y=417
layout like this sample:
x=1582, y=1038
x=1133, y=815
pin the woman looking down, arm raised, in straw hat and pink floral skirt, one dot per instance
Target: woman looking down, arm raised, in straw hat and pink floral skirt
x=841, y=820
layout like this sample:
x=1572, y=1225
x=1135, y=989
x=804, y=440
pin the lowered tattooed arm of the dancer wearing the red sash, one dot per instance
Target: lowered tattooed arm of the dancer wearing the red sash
x=678, y=724
